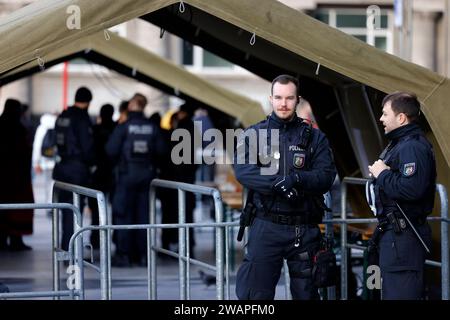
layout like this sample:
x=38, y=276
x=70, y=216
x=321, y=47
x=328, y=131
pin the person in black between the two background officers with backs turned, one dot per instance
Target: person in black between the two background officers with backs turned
x=102, y=177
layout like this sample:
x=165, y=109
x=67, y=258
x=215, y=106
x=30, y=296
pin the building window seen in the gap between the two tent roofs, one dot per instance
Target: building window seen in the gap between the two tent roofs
x=199, y=59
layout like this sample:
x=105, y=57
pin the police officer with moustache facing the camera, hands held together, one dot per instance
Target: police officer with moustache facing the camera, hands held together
x=286, y=200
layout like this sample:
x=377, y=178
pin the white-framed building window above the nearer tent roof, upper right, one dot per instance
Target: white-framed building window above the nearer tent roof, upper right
x=353, y=21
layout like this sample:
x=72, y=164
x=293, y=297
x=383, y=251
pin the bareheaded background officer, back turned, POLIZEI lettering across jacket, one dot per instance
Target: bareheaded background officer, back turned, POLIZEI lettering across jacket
x=135, y=146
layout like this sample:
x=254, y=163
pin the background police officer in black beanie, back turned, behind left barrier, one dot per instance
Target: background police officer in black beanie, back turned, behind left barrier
x=75, y=153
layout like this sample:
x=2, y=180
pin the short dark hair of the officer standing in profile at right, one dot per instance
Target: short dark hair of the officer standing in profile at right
x=404, y=102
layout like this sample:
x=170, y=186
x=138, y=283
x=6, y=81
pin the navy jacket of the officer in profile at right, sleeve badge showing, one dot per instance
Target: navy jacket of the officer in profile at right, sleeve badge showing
x=411, y=180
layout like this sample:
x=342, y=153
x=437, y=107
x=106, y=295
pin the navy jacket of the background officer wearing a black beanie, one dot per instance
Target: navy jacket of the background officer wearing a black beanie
x=75, y=146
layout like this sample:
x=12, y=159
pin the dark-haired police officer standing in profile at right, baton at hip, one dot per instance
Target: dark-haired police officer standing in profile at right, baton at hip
x=404, y=185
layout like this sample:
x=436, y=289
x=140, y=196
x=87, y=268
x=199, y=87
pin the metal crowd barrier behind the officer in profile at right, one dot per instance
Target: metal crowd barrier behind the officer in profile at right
x=444, y=264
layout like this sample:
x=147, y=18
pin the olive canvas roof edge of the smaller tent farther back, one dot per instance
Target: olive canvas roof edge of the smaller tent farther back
x=118, y=52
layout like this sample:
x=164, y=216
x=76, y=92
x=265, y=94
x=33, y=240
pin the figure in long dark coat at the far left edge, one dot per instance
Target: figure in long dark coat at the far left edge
x=15, y=173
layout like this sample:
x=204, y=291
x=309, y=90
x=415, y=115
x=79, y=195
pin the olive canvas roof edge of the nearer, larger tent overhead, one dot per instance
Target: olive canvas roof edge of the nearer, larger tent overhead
x=25, y=36
